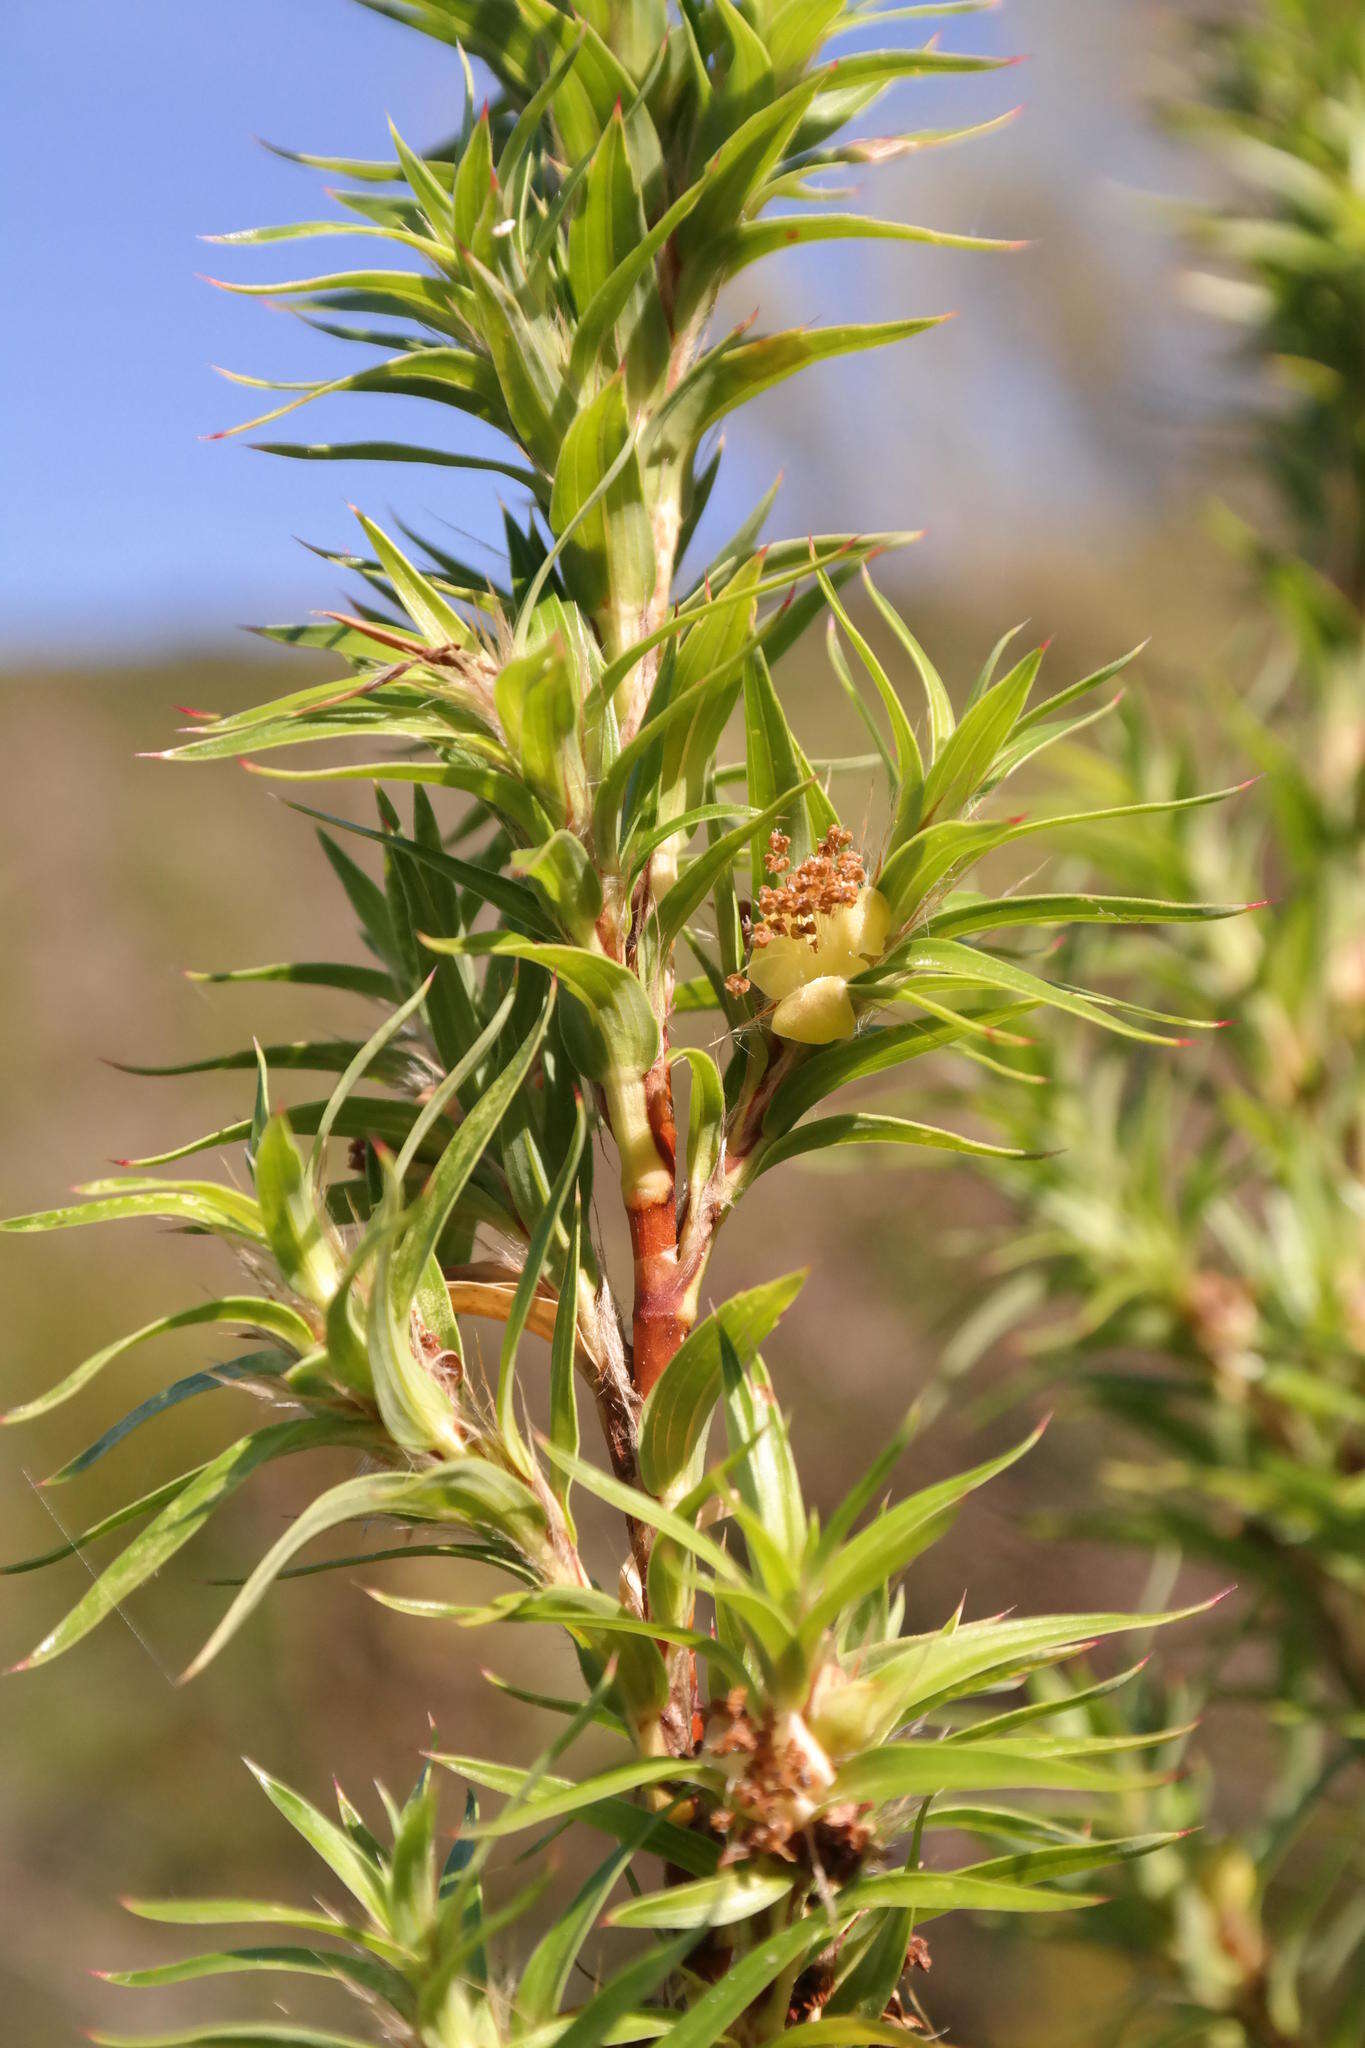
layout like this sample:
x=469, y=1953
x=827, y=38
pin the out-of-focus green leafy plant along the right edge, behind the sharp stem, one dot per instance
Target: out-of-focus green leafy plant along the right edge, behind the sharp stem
x=1190, y=1261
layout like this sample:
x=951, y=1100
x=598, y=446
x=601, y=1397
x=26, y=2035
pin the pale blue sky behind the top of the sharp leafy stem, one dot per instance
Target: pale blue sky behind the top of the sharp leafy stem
x=130, y=134
